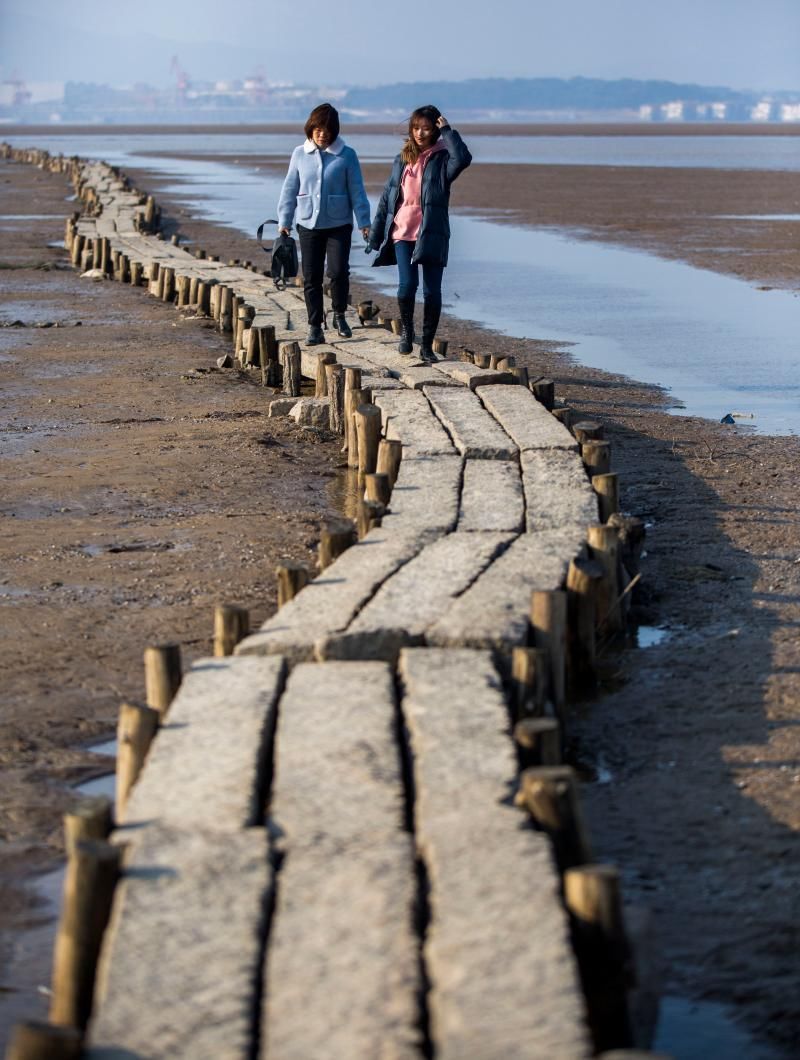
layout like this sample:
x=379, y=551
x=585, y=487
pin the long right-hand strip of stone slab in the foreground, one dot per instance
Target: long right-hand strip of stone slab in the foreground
x=504, y=981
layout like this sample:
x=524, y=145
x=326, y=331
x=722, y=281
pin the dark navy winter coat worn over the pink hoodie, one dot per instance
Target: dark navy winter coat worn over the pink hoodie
x=434, y=240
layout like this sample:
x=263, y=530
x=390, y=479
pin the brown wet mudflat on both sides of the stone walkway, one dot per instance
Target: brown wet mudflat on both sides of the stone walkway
x=144, y=487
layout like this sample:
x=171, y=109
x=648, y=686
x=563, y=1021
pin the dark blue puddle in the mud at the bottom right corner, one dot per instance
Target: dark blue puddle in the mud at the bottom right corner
x=705, y=1031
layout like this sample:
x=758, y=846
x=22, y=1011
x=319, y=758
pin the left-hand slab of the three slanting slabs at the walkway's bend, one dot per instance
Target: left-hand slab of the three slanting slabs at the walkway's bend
x=330, y=603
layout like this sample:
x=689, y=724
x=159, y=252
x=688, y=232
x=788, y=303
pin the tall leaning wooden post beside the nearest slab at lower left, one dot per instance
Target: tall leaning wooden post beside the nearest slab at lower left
x=88, y=892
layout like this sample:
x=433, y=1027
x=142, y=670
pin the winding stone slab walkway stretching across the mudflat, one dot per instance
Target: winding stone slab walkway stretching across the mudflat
x=324, y=857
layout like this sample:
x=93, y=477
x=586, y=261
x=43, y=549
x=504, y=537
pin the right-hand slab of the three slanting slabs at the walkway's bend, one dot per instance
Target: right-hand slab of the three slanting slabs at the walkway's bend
x=494, y=611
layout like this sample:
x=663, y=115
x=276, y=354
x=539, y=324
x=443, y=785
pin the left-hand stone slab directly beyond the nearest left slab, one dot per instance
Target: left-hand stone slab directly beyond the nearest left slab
x=206, y=768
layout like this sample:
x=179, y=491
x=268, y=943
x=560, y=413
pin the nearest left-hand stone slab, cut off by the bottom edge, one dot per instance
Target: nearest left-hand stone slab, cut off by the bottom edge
x=182, y=955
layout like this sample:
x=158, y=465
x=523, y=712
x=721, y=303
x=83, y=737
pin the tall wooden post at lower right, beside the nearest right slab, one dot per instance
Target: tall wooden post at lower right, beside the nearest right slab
x=593, y=897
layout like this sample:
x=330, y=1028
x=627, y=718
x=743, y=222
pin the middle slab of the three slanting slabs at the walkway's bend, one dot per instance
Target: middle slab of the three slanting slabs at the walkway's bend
x=415, y=597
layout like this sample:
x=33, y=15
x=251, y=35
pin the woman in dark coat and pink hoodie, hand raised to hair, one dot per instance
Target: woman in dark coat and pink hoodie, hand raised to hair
x=412, y=226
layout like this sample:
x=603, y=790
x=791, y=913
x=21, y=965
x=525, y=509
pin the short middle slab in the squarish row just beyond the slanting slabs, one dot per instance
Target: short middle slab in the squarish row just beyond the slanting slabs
x=492, y=497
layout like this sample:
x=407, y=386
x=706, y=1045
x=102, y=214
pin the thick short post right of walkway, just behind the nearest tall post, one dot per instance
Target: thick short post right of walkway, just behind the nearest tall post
x=550, y=796
